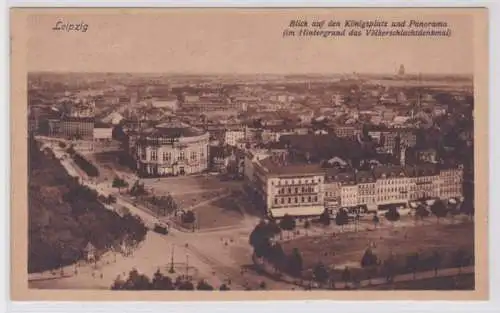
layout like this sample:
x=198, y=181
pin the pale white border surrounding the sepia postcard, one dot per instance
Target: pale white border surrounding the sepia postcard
x=268, y=306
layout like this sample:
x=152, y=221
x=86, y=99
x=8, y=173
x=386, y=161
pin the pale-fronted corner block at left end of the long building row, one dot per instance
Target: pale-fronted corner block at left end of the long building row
x=293, y=189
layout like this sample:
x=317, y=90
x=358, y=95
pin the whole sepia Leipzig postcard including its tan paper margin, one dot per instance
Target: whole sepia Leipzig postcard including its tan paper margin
x=307, y=151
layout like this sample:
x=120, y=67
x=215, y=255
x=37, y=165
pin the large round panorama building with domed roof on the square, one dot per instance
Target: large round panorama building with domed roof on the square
x=172, y=148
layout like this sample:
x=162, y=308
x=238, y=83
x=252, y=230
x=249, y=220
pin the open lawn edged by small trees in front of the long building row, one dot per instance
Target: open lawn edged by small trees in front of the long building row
x=346, y=249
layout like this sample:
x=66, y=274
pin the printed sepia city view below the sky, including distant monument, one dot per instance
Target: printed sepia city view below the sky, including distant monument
x=251, y=182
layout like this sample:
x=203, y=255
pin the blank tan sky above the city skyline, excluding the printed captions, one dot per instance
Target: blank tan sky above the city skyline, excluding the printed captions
x=235, y=41
